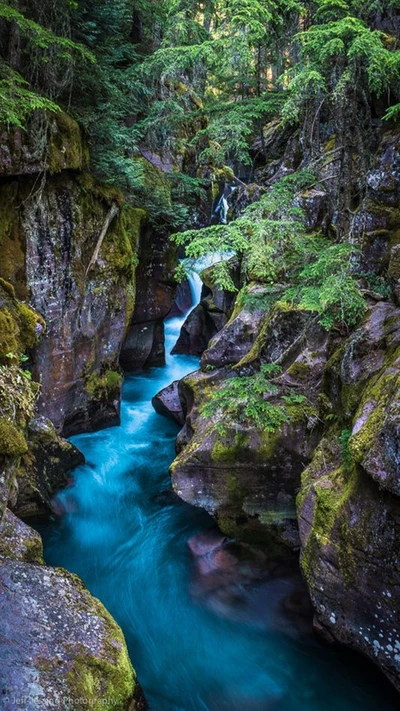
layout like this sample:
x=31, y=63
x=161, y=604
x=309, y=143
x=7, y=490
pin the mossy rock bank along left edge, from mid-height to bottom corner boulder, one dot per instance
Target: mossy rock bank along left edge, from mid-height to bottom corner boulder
x=59, y=645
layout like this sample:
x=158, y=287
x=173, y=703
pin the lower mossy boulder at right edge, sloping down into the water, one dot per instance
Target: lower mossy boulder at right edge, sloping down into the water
x=349, y=530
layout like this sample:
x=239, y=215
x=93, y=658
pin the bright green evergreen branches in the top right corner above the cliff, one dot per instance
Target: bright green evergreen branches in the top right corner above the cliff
x=340, y=55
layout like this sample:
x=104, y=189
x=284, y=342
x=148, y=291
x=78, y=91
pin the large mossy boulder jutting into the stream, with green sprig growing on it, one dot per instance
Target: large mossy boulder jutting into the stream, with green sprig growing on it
x=246, y=477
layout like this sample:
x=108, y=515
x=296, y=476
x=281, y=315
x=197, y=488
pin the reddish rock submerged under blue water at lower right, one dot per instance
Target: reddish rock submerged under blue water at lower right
x=241, y=583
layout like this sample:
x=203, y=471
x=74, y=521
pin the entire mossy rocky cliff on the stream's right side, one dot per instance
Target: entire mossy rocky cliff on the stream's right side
x=325, y=478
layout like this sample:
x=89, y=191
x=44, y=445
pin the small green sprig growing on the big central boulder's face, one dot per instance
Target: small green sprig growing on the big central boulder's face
x=247, y=399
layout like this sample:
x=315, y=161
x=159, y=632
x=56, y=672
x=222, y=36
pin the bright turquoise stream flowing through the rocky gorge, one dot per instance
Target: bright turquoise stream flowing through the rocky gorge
x=125, y=534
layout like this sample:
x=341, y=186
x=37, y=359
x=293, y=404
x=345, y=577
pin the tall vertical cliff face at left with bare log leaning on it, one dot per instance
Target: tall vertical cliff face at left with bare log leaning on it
x=46, y=246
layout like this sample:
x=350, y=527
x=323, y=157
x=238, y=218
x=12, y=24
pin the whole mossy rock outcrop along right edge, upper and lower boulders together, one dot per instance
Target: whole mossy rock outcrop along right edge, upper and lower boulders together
x=349, y=506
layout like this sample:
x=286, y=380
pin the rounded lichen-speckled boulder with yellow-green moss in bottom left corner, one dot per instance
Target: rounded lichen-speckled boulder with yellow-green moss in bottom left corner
x=59, y=644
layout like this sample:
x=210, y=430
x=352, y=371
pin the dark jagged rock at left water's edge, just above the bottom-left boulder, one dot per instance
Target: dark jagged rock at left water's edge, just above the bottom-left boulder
x=44, y=471
